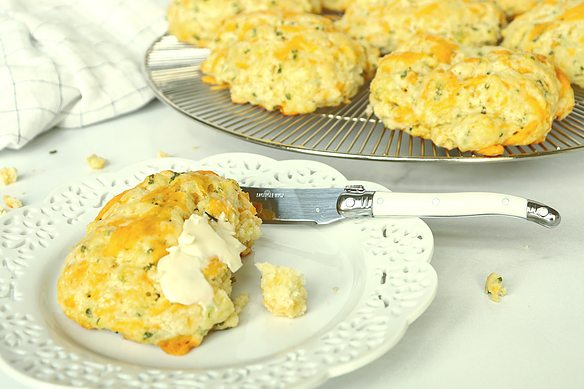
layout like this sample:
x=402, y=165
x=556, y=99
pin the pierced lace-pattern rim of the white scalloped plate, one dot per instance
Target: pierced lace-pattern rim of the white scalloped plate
x=399, y=284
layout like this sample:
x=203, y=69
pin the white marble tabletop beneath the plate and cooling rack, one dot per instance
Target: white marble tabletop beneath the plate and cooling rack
x=533, y=338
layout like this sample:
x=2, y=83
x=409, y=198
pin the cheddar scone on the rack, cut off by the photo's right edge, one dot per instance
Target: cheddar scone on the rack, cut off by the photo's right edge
x=554, y=28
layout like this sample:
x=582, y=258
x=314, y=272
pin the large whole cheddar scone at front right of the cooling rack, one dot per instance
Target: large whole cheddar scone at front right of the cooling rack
x=473, y=99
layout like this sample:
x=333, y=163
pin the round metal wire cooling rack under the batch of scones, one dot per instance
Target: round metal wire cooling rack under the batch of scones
x=348, y=131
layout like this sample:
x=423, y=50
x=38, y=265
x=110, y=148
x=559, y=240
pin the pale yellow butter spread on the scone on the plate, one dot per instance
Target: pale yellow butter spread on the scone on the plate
x=181, y=271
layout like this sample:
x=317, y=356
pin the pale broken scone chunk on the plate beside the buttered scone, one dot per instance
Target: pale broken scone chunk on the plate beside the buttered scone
x=283, y=290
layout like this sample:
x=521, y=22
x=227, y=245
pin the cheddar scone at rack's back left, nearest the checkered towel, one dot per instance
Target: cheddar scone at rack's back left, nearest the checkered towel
x=196, y=21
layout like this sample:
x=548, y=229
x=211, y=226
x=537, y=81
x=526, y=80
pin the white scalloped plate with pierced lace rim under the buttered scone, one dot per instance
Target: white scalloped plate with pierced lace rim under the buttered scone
x=367, y=280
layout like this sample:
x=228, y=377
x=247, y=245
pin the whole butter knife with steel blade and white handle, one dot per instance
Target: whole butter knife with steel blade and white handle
x=326, y=205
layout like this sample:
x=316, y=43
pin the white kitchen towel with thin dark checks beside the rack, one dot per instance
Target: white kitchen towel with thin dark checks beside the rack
x=71, y=63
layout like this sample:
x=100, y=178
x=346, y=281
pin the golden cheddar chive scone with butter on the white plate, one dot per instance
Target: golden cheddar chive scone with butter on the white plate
x=110, y=279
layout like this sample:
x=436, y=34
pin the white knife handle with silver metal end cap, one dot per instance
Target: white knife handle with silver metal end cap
x=462, y=204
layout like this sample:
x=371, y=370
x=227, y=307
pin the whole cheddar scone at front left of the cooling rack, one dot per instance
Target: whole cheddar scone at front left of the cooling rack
x=295, y=63
